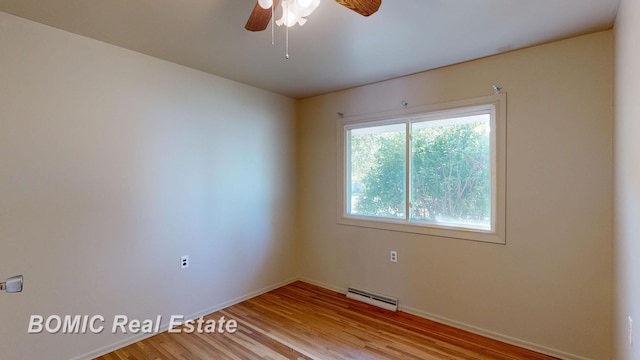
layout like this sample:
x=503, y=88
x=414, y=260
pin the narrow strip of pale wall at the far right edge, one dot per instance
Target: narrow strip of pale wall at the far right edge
x=627, y=181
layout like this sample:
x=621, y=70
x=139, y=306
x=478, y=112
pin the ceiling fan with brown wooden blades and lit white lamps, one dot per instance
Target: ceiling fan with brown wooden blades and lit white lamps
x=263, y=11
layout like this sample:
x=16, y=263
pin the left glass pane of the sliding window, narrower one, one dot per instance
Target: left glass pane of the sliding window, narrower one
x=377, y=171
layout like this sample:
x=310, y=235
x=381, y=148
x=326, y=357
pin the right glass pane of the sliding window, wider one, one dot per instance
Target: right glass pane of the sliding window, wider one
x=451, y=172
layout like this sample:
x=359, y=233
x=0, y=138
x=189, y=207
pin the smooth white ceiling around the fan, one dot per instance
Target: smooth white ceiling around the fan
x=336, y=49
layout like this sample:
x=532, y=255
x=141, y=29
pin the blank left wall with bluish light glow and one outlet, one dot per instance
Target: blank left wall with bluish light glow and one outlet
x=112, y=165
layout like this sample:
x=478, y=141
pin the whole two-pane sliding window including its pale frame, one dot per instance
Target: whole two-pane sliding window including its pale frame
x=437, y=170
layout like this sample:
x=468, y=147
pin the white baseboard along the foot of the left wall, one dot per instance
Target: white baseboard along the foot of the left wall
x=165, y=326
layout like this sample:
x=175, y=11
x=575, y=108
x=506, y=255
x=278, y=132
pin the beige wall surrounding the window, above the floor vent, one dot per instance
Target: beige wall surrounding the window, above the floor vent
x=549, y=287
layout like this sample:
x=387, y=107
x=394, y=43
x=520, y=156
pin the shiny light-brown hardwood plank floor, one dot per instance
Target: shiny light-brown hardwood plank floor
x=302, y=321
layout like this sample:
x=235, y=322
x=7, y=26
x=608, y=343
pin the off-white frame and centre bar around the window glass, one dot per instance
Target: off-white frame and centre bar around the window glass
x=496, y=234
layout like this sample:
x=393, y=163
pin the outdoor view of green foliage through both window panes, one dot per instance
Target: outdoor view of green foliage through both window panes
x=450, y=168
